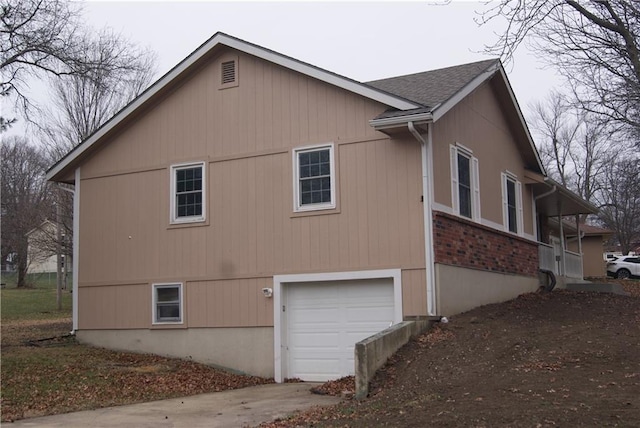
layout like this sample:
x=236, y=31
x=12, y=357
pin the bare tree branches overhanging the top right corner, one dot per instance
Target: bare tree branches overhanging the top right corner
x=594, y=43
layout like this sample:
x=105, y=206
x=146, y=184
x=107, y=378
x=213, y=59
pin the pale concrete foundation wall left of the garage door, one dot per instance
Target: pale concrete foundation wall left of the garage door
x=246, y=350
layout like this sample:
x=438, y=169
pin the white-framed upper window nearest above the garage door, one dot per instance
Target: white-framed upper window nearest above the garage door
x=314, y=178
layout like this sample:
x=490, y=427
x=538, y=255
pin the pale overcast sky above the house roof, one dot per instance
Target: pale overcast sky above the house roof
x=360, y=40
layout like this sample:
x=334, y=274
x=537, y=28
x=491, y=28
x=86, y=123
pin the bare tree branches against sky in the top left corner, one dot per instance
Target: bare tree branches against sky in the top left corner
x=46, y=38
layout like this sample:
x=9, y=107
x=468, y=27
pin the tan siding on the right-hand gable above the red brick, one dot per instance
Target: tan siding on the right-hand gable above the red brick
x=478, y=123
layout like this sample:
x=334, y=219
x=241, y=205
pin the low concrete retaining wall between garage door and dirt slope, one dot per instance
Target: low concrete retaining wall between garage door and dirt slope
x=373, y=352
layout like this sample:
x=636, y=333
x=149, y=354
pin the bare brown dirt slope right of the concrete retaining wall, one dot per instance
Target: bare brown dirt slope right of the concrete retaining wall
x=542, y=360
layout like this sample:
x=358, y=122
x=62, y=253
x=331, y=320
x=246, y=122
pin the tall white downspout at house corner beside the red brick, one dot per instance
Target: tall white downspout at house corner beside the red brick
x=425, y=149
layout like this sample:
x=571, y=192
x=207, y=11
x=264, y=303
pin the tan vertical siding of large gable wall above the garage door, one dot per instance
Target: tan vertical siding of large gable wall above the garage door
x=245, y=136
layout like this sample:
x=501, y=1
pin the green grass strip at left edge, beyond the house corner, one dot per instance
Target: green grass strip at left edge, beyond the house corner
x=33, y=304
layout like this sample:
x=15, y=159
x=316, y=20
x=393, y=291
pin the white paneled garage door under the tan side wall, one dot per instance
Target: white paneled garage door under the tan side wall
x=324, y=320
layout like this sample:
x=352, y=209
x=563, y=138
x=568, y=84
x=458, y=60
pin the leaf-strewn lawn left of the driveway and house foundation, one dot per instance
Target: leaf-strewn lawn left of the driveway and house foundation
x=46, y=371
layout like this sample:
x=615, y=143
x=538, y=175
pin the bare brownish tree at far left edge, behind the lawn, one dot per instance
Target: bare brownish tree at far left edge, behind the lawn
x=26, y=201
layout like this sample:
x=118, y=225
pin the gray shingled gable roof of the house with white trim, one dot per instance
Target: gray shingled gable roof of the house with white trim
x=416, y=97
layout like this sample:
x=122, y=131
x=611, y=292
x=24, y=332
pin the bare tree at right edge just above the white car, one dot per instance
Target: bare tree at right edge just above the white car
x=620, y=201
